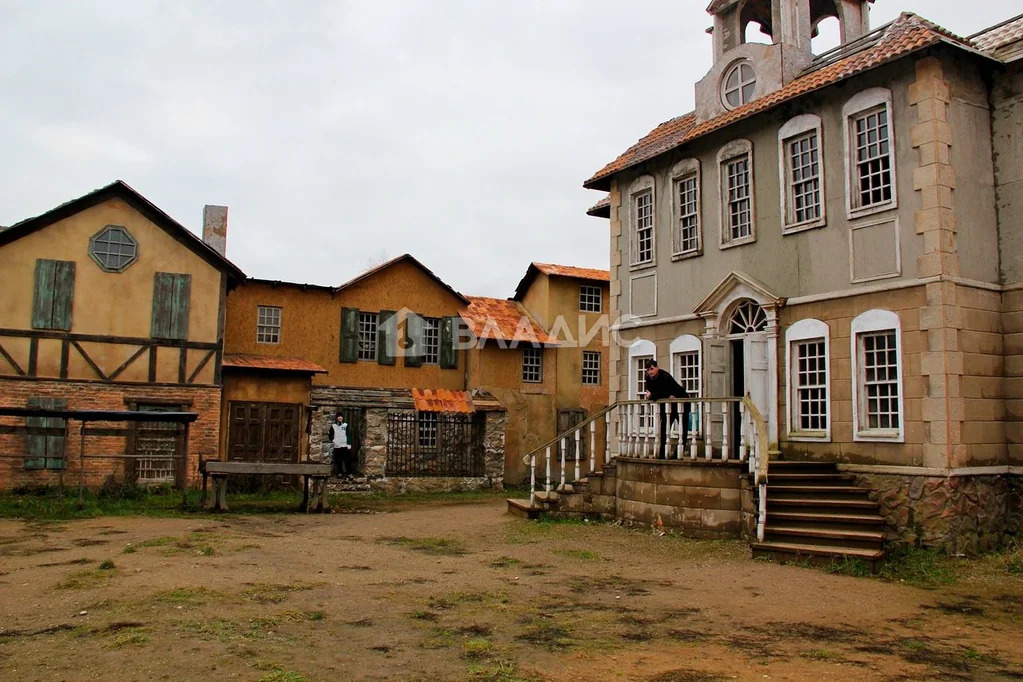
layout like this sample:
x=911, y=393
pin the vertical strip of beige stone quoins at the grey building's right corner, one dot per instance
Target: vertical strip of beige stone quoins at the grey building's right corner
x=942, y=362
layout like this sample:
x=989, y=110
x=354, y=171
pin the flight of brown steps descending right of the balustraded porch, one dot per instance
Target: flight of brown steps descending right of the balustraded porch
x=815, y=513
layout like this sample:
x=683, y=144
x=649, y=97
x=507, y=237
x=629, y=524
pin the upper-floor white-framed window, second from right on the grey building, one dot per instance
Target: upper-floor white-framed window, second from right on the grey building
x=803, y=173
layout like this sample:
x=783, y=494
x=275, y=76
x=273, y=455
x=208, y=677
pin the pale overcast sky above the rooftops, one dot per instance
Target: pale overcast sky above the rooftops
x=342, y=133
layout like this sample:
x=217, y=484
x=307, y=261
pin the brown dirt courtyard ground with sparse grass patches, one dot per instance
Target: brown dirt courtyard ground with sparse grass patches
x=457, y=593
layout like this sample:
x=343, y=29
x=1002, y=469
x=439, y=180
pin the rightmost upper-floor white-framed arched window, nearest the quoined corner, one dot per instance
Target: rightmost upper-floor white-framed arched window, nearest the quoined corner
x=870, y=148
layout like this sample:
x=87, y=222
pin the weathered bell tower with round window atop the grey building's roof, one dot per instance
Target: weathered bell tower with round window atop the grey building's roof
x=743, y=72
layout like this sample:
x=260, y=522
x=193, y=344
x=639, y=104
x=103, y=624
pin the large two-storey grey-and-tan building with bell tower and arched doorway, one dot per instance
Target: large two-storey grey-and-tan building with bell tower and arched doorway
x=841, y=238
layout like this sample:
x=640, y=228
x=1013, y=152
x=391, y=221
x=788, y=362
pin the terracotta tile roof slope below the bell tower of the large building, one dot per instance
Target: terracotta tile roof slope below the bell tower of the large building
x=906, y=35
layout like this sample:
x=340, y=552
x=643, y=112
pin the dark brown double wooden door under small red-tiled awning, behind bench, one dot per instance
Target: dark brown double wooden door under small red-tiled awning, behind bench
x=263, y=432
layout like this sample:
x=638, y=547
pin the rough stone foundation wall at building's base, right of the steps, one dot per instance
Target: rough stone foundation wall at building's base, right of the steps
x=960, y=515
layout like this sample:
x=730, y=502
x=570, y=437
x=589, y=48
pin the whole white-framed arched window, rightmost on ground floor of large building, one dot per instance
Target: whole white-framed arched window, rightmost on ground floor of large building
x=878, y=403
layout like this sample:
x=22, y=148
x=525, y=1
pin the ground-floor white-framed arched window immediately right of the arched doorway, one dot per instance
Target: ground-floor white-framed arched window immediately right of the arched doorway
x=808, y=357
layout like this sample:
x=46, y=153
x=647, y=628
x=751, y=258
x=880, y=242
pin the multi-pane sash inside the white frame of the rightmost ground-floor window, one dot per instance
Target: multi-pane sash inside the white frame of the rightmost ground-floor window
x=879, y=360
